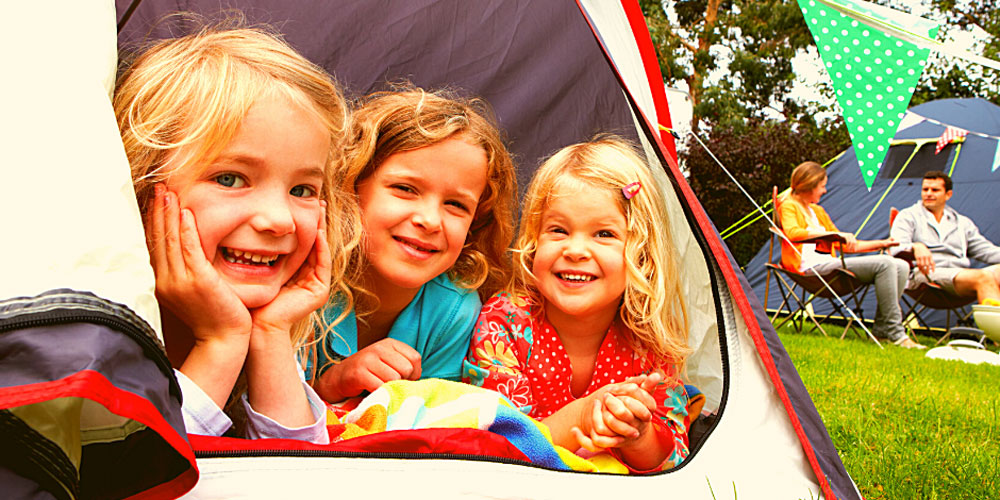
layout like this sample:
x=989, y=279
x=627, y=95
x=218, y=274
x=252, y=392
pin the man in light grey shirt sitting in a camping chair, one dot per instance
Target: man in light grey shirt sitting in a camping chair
x=942, y=242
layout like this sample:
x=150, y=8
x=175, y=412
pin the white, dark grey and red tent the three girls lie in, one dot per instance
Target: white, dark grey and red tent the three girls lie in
x=557, y=73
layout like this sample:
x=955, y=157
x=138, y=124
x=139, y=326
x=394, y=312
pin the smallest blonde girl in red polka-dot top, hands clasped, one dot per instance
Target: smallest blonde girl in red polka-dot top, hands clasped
x=592, y=332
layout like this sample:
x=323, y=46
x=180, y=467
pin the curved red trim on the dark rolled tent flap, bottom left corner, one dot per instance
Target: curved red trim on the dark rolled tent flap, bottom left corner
x=94, y=386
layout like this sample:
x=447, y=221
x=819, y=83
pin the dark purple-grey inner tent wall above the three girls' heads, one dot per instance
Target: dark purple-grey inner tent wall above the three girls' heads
x=403, y=41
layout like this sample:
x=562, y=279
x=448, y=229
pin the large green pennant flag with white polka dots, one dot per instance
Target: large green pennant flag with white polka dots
x=873, y=74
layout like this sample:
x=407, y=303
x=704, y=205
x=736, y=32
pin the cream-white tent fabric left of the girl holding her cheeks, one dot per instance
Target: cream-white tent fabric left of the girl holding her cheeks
x=67, y=191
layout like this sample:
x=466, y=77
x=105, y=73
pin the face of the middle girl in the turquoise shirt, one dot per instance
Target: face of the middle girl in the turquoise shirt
x=416, y=209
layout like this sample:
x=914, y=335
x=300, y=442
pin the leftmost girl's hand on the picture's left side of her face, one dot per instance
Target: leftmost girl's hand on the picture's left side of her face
x=186, y=282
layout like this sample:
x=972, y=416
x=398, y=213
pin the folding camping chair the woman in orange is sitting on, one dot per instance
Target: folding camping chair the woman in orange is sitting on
x=792, y=283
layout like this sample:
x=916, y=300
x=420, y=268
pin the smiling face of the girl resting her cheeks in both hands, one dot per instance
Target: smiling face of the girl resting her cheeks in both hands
x=257, y=205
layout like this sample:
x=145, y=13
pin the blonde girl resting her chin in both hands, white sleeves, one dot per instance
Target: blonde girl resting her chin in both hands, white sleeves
x=232, y=137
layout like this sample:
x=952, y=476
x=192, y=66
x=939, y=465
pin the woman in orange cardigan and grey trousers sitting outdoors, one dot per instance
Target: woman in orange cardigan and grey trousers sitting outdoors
x=801, y=218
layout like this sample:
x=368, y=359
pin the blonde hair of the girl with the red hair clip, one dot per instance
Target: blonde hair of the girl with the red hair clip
x=653, y=309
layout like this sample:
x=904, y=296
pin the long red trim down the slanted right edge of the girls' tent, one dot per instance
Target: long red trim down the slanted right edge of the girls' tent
x=732, y=281
